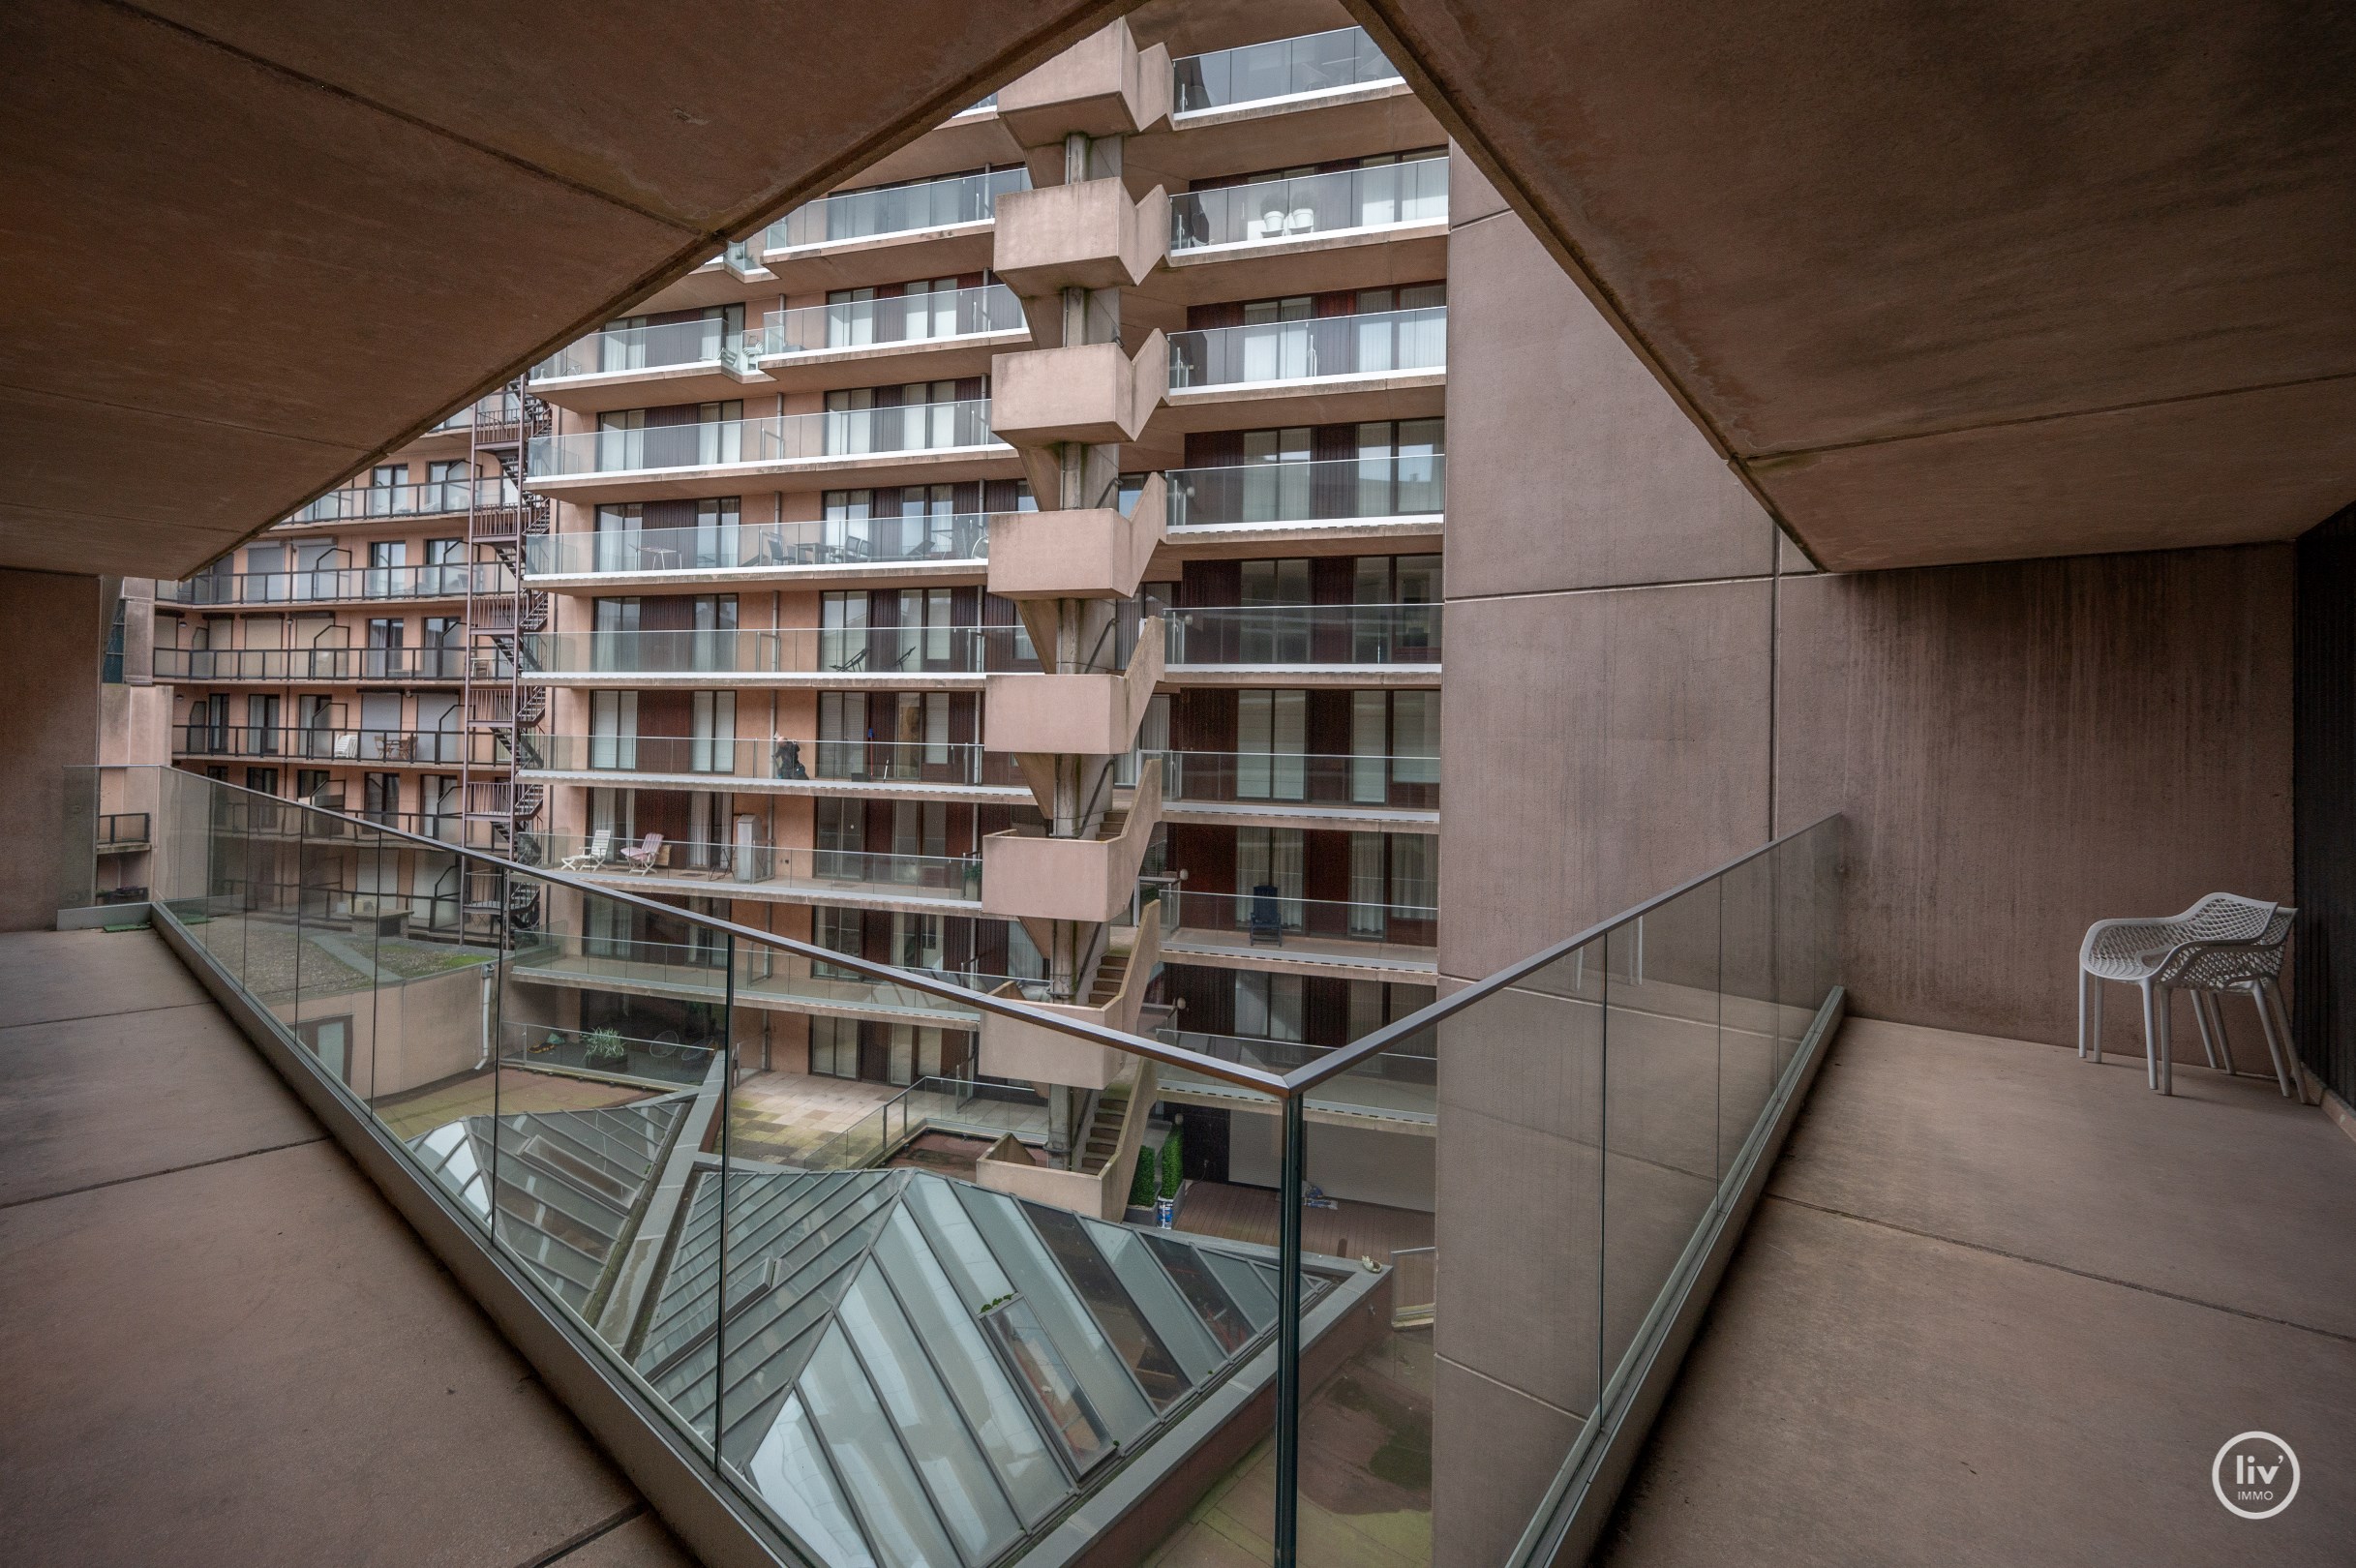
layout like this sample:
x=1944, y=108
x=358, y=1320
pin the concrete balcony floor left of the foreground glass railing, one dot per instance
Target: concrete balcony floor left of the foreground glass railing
x=218, y=1343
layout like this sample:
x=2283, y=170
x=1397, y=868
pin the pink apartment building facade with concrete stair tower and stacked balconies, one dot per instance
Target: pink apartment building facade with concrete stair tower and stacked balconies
x=1024, y=566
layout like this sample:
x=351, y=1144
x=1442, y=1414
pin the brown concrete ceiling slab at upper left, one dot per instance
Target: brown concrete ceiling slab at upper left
x=253, y=244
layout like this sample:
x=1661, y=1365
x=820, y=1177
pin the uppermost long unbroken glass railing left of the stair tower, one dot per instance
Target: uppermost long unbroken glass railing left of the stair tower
x=920, y=427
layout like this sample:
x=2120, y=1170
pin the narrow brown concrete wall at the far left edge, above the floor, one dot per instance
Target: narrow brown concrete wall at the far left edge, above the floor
x=53, y=630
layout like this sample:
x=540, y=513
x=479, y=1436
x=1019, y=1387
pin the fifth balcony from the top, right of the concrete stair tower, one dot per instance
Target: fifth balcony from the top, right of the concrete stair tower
x=1226, y=644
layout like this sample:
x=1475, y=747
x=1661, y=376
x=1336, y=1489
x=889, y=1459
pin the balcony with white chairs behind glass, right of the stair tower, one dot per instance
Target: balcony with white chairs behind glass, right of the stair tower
x=1313, y=232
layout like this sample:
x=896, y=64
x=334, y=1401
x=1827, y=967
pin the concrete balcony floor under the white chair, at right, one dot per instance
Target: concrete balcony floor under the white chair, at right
x=2004, y=1308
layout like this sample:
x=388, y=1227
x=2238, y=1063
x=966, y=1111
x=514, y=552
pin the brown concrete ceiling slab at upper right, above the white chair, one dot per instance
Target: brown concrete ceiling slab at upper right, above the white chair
x=1950, y=281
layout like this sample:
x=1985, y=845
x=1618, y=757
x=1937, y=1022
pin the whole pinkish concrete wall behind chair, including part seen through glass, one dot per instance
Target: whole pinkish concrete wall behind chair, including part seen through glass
x=1646, y=682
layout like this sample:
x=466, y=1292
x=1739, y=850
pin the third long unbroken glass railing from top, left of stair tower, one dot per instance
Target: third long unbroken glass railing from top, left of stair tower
x=790, y=651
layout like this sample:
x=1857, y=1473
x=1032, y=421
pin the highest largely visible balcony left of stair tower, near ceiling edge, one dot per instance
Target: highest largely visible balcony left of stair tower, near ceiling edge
x=934, y=227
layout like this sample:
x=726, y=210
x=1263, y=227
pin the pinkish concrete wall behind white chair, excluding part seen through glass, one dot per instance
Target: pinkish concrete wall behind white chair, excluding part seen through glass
x=1641, y=682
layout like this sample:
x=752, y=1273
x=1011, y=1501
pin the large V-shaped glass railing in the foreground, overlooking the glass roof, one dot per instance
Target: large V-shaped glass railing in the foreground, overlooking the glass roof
x=595, y=1089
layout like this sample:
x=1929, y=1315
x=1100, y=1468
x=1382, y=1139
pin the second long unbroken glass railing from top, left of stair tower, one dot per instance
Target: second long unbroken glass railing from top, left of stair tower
x=835, y=543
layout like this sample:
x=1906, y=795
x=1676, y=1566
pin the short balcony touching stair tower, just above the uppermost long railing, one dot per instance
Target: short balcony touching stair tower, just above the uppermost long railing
x=937, y=335
